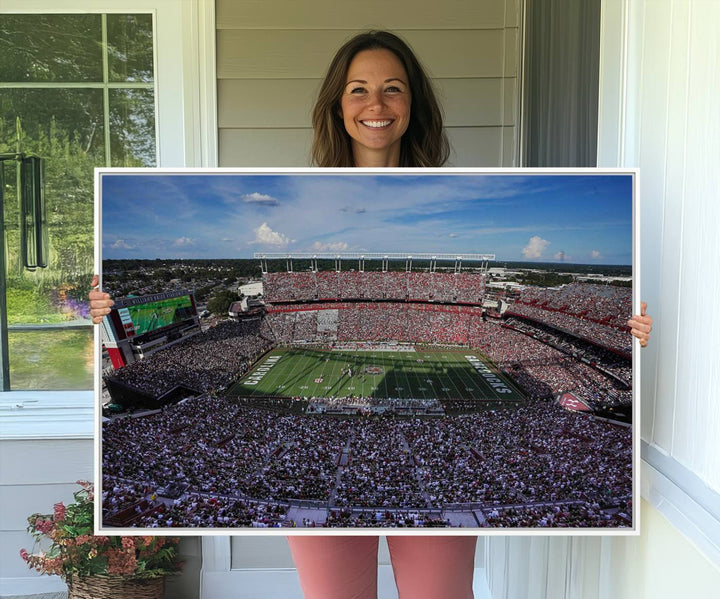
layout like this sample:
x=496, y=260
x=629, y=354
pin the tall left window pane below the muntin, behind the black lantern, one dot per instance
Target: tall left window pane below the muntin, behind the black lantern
x=65, y=127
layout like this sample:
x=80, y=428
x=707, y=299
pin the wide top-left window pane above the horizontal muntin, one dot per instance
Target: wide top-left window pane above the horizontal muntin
x=50, y=48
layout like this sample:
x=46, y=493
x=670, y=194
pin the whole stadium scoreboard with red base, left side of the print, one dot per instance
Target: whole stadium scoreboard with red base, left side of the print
x=139, y=324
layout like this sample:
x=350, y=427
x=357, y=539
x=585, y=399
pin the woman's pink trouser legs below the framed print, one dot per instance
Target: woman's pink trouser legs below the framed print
x=346, y=567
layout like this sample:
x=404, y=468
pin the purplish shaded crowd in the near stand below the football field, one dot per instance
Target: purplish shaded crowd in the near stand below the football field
x=261, y=461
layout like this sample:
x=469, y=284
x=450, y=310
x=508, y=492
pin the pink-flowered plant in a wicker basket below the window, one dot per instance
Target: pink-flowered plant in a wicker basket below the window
x=98, y=567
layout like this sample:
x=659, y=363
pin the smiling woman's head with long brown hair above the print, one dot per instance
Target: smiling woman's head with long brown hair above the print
x=377, y=107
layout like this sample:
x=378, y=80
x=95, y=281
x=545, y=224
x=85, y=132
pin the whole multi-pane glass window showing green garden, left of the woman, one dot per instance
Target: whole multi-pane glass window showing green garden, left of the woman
x=77, y=90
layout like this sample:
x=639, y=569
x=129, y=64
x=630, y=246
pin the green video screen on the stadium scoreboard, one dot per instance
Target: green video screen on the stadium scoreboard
x=144, y=315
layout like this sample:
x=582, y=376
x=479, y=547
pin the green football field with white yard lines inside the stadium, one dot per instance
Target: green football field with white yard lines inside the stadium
x=424, y=374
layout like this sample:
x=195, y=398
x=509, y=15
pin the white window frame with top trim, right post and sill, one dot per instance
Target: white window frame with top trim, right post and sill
x=186, y=130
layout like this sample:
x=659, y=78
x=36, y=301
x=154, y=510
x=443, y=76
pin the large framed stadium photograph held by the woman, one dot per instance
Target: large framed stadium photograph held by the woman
x=312, y=349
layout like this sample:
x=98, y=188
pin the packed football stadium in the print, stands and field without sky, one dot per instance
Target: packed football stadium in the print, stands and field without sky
x=379, y=398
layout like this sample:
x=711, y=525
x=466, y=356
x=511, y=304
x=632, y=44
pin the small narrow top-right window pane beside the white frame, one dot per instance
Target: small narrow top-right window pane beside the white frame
x=130, y=48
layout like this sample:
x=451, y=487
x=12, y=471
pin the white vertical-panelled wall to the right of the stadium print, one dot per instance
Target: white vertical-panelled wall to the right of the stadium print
x=672, y=132
